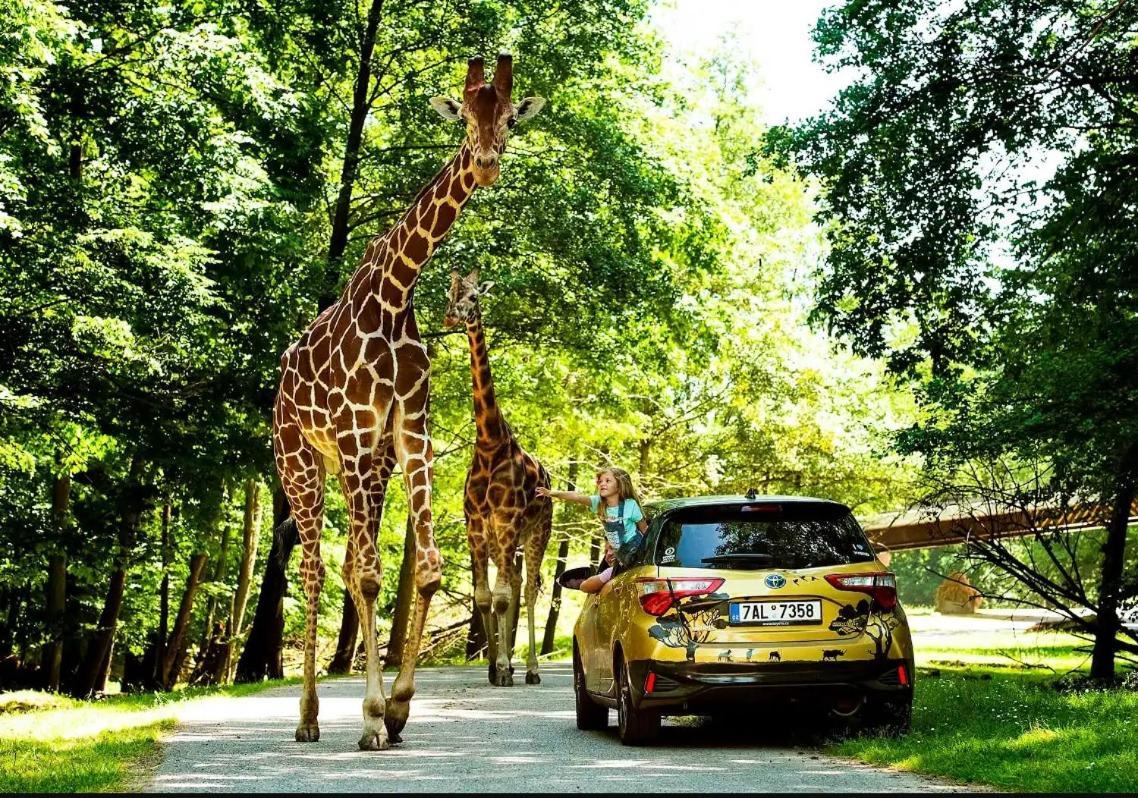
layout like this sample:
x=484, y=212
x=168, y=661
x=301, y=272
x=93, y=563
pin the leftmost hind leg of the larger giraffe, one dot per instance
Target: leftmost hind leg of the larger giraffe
x=302, y=475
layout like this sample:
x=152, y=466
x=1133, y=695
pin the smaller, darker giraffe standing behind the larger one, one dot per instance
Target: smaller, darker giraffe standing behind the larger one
x=501, y=506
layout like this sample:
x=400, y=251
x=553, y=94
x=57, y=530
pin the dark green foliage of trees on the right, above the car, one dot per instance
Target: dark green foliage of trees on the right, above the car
x=979, y=202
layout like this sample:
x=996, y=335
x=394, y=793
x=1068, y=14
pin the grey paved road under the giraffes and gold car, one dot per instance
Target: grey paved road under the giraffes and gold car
x=466, y=736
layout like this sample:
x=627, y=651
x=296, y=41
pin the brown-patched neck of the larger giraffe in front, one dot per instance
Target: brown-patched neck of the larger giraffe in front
x=414, y=240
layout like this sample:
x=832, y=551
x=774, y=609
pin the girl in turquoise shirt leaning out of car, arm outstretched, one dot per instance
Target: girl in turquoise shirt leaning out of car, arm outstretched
x=619, y=509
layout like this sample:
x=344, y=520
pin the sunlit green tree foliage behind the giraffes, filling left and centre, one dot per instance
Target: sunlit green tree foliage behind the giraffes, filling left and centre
x=169, y=177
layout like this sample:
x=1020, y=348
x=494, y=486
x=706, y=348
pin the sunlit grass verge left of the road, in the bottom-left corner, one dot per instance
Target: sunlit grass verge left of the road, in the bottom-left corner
x=51, y=744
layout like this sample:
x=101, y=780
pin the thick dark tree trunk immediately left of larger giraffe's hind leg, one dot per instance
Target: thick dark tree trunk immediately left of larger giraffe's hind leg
x=262, y=655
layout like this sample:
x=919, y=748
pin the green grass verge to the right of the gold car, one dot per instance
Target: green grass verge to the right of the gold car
x=980, y=717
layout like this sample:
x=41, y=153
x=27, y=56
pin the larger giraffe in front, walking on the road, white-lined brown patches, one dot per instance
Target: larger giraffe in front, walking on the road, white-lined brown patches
x=353, y=402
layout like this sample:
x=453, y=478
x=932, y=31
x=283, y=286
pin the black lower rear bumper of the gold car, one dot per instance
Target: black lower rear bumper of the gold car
x=702, y=687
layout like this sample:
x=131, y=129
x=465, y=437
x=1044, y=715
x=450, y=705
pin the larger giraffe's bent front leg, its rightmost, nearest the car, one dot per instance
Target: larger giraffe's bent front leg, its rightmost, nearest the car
x=416, y=456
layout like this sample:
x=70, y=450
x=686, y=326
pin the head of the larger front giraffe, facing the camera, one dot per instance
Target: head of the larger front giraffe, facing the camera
x=489, y=114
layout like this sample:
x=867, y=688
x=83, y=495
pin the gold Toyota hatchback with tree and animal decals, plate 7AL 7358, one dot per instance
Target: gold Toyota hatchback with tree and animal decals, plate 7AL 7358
x=735, y=602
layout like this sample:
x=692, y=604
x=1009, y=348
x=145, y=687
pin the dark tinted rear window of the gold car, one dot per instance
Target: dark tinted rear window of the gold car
x=793, y=536
